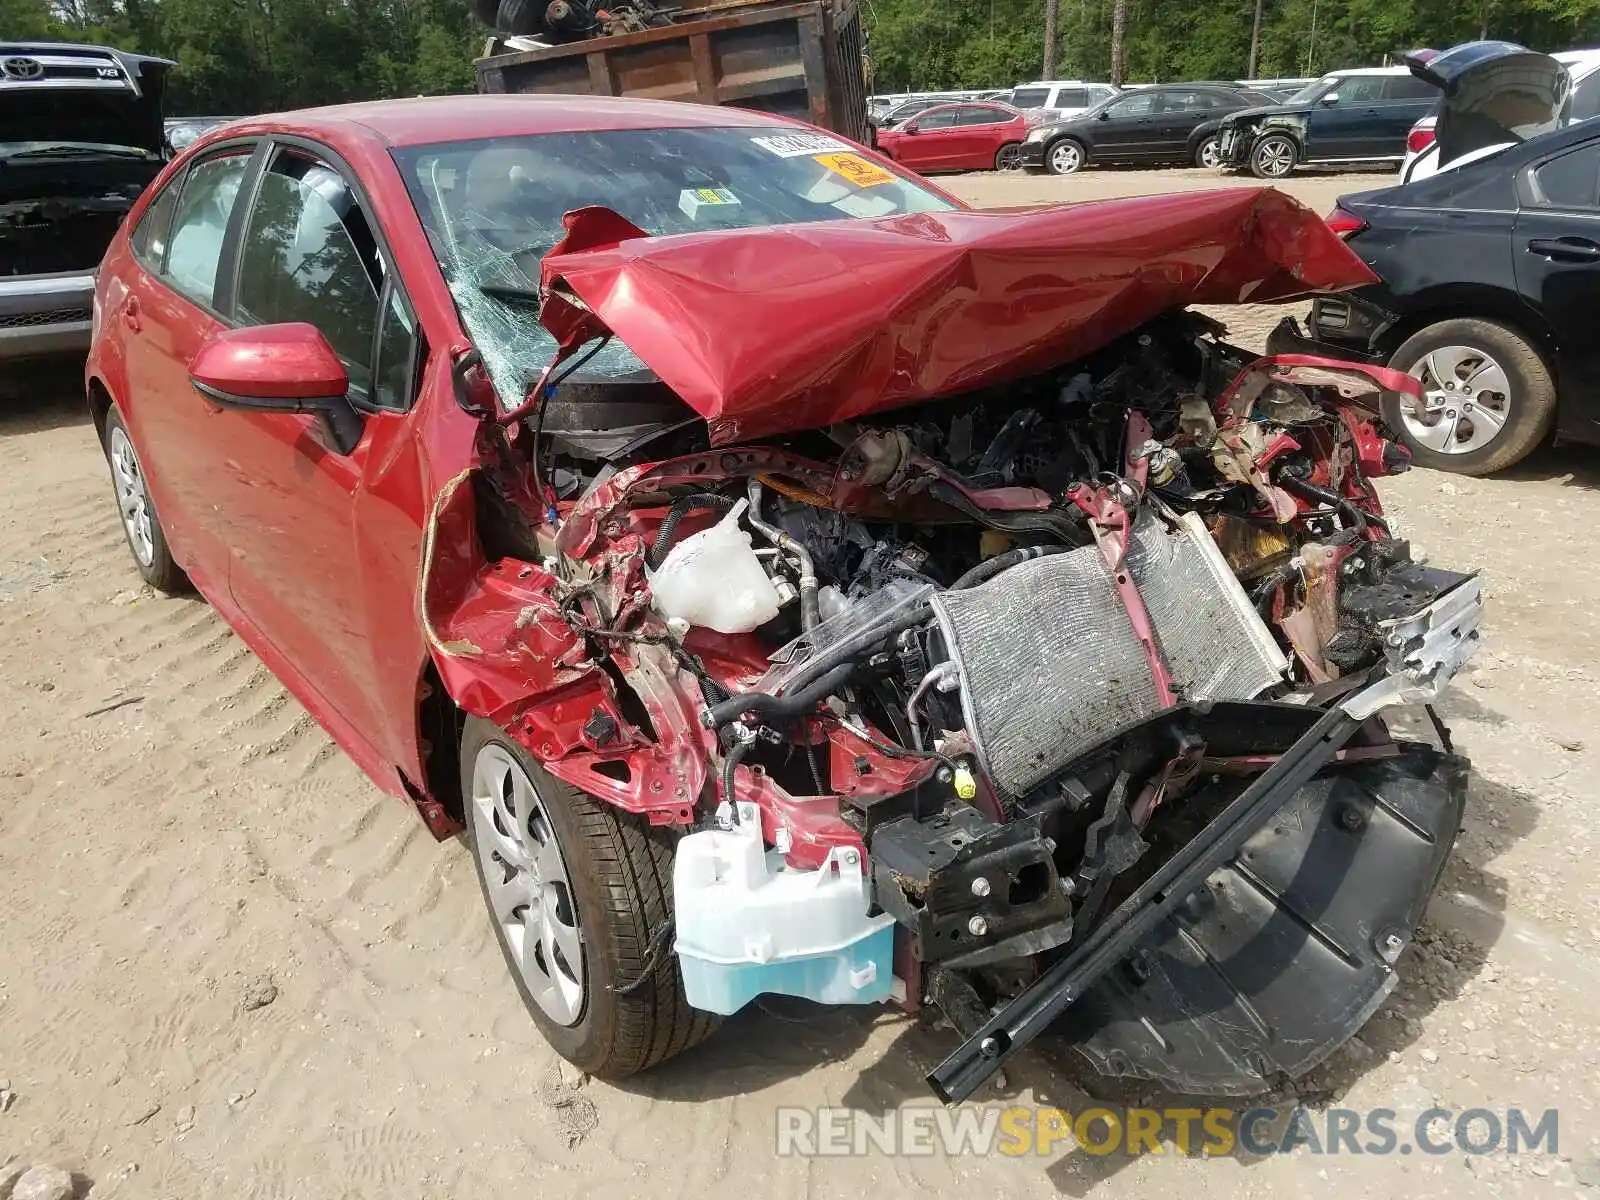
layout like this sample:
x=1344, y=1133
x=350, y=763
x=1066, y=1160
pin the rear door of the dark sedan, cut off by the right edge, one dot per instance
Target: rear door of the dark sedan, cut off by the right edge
x=1558, y=254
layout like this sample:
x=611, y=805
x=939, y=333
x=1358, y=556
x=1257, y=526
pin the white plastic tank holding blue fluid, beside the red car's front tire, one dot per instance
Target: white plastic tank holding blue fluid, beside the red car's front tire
x=748, y=924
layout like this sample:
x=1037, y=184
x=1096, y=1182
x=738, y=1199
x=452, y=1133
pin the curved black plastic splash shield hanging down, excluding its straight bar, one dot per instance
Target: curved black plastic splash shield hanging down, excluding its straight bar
x=1287, y=951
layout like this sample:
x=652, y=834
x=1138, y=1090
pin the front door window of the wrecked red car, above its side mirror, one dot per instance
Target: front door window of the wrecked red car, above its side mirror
x=311, y=257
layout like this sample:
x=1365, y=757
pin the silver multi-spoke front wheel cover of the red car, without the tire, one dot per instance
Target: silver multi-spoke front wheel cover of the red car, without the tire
x=529, y=886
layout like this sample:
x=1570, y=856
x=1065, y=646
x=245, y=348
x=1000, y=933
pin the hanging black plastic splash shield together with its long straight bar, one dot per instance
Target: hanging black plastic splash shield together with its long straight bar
x=1310, y=886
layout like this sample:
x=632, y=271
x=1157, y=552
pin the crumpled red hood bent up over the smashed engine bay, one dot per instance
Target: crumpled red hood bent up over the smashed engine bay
x=798, y=327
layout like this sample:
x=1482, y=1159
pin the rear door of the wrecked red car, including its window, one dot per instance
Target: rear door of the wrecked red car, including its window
x=169, y=311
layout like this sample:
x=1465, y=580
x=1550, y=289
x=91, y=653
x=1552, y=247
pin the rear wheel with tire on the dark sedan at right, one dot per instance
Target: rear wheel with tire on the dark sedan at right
x=1502, y=407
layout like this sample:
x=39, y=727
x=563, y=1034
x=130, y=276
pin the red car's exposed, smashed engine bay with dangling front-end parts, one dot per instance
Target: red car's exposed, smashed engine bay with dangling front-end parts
x=1022, y=662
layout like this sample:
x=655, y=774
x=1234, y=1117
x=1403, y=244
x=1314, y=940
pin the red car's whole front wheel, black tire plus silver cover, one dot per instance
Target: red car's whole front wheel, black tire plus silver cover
x=617, y=897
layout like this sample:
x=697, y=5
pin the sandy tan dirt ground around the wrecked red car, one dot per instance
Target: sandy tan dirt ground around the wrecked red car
x=177, y=833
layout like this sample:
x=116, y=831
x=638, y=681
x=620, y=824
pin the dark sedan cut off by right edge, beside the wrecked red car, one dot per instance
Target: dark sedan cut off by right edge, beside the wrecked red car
x=1490, y=284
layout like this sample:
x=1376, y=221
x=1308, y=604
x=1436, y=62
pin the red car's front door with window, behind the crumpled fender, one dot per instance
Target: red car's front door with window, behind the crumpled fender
x=295, y=510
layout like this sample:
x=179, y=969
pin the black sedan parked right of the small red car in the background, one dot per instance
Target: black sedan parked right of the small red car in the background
x=1169, y=124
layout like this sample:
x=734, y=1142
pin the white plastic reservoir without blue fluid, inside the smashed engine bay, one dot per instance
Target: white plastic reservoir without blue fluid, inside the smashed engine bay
x=714, y=580
